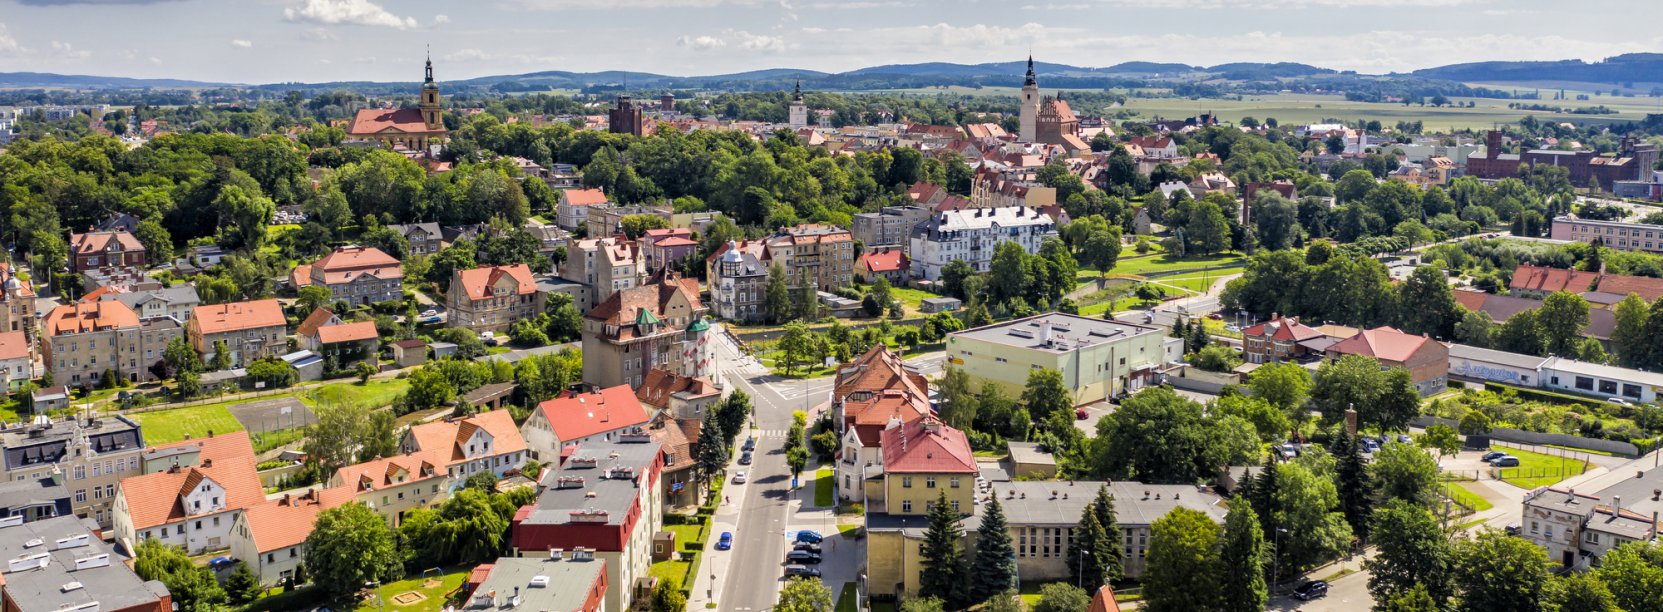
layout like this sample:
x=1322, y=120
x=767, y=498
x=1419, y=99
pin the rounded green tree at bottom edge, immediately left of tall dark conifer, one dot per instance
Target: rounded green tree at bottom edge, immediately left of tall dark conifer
x=1183, y=563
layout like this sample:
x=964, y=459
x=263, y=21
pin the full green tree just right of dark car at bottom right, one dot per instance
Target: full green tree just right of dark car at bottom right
x=1413, y=551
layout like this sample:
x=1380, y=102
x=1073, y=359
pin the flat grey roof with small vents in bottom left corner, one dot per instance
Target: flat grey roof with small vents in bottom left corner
x=112, y=586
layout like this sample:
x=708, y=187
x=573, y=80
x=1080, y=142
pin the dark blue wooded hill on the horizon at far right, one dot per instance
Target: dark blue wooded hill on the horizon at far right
x=1621, y=69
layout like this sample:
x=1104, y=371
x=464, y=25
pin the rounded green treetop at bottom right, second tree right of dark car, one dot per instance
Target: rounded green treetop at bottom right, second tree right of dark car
x=1499, y=573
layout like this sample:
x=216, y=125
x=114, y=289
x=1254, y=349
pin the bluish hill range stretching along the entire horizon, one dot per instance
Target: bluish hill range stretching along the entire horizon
x=1619, y=71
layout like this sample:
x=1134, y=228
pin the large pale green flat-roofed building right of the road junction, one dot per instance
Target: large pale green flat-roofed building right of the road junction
x=1098, y=358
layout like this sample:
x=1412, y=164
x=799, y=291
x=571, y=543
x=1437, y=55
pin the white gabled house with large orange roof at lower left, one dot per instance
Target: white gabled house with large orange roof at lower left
x=190, y=506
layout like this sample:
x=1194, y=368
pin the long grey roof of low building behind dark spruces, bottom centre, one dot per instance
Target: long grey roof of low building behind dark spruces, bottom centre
x=1135, y=503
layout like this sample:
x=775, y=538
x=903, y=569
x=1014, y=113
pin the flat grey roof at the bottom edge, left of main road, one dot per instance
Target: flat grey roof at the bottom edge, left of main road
x=566, y=588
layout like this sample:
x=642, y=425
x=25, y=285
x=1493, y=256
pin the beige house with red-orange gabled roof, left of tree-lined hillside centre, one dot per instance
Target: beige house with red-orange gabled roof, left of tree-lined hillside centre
x=493, y=299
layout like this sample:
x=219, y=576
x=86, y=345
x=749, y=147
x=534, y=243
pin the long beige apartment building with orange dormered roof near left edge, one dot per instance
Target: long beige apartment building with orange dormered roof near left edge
x=91, y=340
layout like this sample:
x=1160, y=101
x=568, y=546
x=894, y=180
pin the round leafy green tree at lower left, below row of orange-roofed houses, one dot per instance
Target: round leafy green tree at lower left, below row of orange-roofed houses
x=348, y=548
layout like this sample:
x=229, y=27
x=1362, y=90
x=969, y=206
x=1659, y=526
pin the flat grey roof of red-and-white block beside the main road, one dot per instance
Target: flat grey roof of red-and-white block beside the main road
x=603, y=488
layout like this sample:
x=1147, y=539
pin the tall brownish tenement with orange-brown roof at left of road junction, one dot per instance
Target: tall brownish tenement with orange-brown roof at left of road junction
x=641, y=328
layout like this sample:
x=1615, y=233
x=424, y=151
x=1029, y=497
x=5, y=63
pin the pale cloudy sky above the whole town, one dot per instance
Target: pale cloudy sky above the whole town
x=385, y=41
